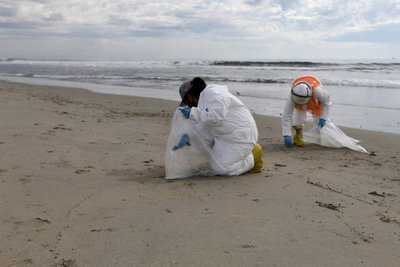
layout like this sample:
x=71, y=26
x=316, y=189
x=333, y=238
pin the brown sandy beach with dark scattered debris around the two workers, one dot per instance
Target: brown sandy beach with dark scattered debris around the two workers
x=82, y=184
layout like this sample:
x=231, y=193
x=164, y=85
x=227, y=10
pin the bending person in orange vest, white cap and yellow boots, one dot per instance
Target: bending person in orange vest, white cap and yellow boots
x=307, y=95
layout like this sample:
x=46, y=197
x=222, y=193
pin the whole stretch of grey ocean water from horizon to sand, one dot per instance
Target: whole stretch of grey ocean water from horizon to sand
x=365, y=93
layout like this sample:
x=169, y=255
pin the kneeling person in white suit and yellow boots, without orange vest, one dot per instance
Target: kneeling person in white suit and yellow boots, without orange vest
x=225, y=123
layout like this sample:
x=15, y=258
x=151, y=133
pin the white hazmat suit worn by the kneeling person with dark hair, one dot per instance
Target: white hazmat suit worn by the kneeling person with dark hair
x=232, y=127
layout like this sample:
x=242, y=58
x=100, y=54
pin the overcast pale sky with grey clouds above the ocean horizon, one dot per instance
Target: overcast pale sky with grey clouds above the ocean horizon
x=199, y=29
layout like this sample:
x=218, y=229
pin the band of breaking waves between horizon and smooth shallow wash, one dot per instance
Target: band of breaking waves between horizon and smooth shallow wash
x=379, y=74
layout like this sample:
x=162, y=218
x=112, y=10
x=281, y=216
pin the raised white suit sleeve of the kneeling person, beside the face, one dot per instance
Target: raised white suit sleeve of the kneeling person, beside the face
x=212, y=108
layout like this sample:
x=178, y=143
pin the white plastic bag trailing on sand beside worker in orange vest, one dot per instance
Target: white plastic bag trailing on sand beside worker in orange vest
x=331, y=136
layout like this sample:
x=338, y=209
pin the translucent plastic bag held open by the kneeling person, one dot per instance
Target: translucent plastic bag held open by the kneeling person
x=190, y=160
